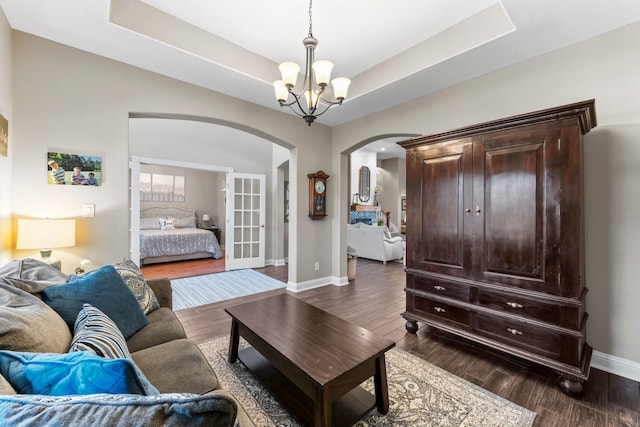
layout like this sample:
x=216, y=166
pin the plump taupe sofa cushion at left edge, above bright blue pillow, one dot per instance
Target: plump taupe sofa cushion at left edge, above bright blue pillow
x=28, y=324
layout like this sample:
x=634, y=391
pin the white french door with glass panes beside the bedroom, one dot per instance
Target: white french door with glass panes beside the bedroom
x=244, y=245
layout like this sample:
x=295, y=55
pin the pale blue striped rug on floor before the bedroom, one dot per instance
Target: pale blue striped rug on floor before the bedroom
x=209, y=288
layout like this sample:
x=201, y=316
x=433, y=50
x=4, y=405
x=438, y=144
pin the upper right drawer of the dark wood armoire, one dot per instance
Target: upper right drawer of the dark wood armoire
x=520, y=306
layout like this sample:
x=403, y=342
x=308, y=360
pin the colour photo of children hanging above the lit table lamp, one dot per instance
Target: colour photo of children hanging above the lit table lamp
x=73, y=169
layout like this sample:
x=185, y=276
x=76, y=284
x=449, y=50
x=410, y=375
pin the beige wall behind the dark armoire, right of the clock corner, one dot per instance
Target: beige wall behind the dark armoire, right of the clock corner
x=605, y=68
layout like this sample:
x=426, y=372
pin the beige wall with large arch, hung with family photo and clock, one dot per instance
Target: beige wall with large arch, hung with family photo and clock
x=68, y=99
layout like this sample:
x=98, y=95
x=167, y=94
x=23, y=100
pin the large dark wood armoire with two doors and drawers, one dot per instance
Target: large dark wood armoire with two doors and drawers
x=495, y=237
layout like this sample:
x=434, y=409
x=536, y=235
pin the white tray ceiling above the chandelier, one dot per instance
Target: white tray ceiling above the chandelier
x=393, y=51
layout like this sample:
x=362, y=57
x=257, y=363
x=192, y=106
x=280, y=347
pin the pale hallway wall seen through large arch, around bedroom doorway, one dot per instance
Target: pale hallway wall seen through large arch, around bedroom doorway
x=213, y=148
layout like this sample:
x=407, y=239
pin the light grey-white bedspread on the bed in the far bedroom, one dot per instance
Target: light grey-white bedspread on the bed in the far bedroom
x=179, y=241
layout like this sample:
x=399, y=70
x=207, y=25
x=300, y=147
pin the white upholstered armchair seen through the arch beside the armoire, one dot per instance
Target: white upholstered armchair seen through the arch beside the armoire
x=374, y=242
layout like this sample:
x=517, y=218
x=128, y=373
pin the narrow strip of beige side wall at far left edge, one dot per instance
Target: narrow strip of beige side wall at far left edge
x=6, y=100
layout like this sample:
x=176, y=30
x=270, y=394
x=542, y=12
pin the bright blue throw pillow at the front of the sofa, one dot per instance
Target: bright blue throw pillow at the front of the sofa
x=70, y=373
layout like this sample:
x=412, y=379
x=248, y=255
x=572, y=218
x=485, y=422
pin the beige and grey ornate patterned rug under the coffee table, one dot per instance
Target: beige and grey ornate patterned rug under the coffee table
x=420, y=394
